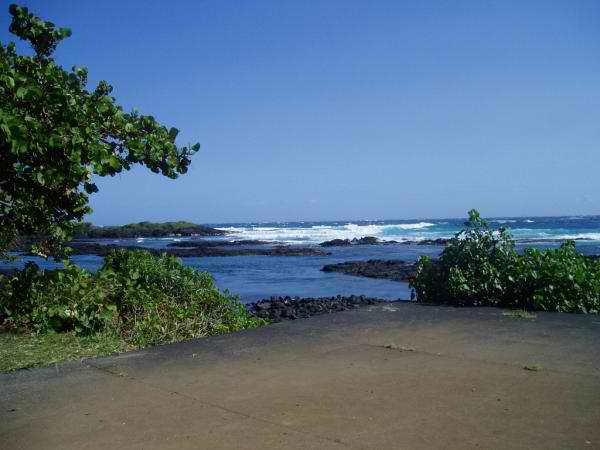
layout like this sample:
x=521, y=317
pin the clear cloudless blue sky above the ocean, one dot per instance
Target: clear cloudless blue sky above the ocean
x=340, y=110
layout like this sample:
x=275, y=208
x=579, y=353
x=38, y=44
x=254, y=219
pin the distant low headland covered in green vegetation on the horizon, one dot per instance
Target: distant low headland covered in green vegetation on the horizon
x=145, y=229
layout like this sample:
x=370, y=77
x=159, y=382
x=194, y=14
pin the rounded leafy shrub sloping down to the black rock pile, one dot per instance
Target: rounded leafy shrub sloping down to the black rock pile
x=160, y=300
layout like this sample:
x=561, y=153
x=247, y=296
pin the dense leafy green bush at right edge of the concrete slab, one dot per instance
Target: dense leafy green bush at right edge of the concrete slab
x=480, y=266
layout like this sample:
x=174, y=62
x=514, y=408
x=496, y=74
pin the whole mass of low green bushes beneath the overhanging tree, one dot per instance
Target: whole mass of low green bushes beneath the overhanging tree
x=145, y=299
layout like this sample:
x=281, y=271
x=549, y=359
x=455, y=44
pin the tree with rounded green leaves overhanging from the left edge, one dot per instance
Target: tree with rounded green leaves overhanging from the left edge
x=55, y=135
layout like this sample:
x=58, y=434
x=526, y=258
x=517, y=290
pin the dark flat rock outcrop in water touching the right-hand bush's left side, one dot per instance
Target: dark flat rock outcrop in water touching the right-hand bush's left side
x=395, y=270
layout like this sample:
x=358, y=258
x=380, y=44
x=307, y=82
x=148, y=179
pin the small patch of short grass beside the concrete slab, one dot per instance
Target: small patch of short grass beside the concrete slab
x=22, y=350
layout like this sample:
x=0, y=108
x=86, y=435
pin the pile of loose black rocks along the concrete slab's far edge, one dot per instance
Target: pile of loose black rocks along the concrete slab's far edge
x=277, y=309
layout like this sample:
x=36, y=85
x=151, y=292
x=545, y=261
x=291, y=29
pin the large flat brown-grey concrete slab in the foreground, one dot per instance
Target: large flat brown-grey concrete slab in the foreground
x=399, y=376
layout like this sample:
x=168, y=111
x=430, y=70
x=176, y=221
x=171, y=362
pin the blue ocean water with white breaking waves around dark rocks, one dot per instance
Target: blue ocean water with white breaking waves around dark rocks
x=257, y=277
